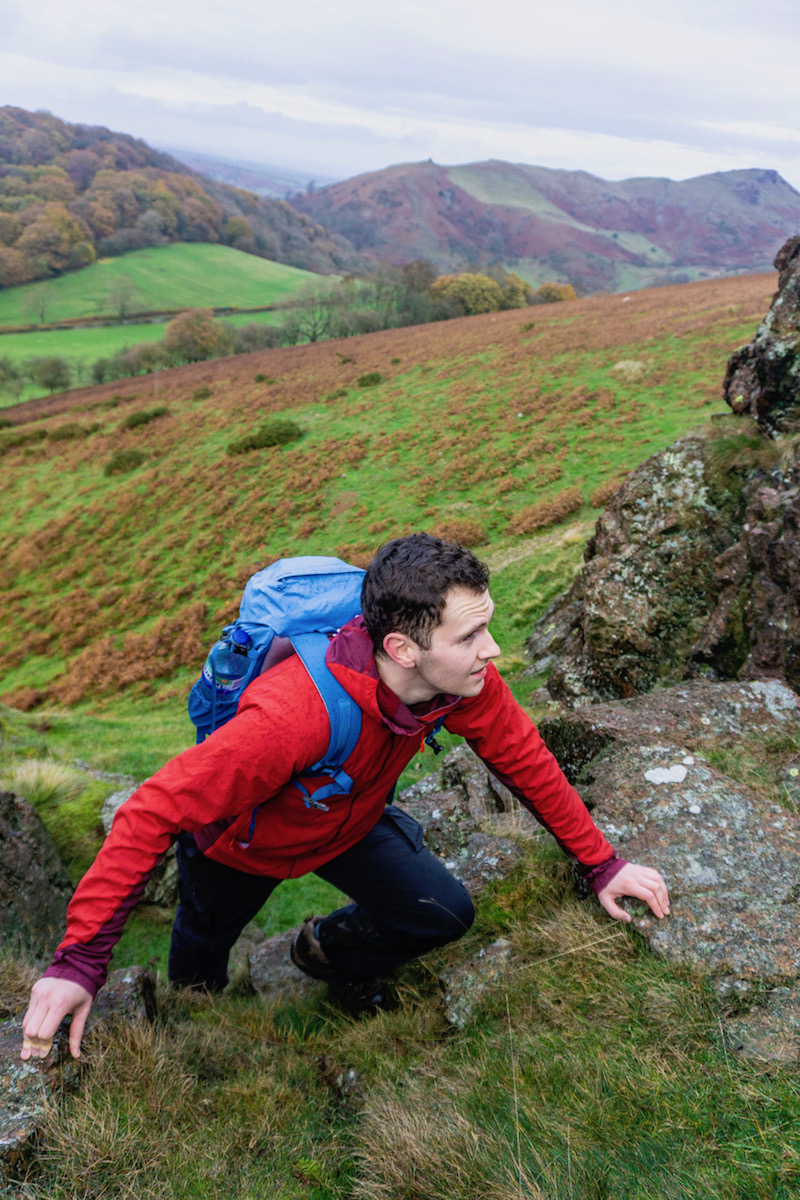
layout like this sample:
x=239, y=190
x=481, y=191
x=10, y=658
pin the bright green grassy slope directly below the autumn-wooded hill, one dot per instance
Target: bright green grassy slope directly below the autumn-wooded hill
x=169, y=279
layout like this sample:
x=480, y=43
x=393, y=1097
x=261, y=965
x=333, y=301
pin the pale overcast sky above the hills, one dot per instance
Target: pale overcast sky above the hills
x=619, y=88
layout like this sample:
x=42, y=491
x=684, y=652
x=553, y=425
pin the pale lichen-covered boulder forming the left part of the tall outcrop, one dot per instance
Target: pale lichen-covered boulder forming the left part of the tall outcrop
x=648, y=586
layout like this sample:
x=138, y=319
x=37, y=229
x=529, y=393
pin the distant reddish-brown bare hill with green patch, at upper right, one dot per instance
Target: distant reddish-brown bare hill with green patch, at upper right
x=563, y=225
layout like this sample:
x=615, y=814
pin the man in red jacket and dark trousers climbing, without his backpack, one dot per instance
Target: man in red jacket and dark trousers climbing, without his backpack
x=420, y=652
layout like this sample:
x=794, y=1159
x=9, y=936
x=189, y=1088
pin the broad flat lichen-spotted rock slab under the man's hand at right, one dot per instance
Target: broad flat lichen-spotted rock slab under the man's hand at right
x=731, y=859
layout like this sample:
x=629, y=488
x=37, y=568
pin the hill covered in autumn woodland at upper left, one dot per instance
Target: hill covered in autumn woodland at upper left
x=71, y=194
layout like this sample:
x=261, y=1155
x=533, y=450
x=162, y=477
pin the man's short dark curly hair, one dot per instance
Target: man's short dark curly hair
x=407, y=583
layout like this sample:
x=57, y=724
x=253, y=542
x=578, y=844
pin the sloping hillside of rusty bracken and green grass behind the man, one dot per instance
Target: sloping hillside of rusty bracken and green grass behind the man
x=490, y=429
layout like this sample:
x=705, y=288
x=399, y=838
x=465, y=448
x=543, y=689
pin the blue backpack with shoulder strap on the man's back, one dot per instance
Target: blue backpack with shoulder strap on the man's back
x=290, y=608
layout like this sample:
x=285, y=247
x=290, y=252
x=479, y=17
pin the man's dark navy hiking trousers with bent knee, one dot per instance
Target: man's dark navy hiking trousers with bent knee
x=404, y=903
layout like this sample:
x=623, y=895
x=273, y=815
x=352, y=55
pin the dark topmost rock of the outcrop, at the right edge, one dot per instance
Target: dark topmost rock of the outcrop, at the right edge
x=763, y=379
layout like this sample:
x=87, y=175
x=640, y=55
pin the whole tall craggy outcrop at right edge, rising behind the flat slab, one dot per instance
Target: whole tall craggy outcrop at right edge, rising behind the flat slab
x=695, y=566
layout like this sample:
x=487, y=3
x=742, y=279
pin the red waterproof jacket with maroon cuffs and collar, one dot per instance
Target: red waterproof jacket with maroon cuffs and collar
x=236, y=791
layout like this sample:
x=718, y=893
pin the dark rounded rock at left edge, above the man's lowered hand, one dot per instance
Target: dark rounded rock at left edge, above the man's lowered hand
x=35, y=887
